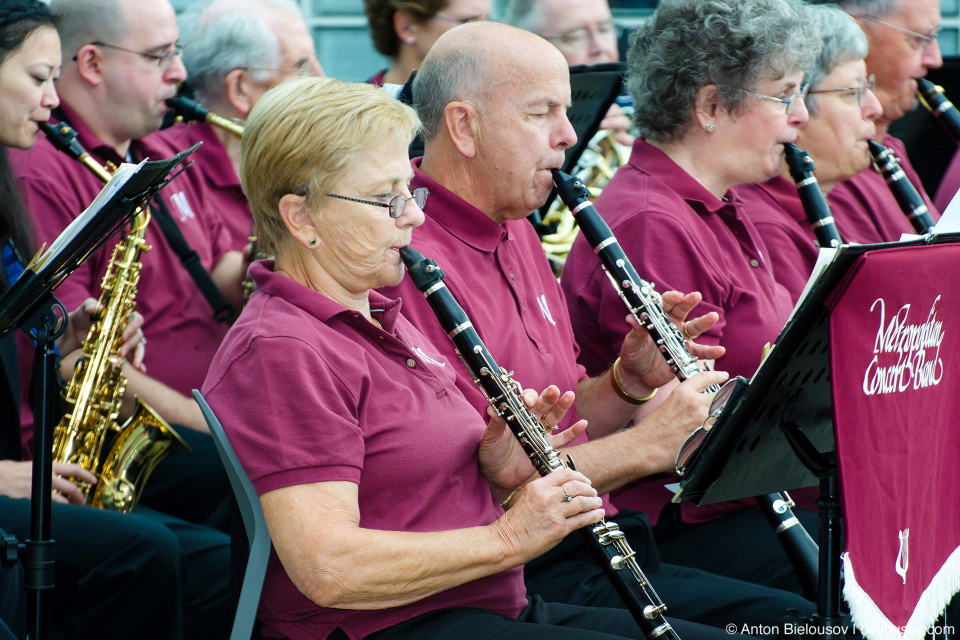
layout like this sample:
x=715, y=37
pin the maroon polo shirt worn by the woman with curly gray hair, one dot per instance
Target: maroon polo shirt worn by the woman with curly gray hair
x=678, y=236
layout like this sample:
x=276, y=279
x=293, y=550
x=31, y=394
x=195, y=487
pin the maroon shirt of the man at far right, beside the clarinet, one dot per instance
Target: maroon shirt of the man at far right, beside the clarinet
x=865, y=209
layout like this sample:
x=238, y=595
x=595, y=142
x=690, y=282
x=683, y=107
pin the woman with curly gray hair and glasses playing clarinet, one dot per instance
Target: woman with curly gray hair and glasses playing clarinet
x=717, y=87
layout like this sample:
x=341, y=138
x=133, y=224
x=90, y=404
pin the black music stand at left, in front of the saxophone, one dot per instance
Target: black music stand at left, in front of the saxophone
x=31, y=306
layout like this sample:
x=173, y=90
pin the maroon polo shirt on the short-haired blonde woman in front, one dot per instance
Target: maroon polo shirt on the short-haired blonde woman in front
x=310, y=391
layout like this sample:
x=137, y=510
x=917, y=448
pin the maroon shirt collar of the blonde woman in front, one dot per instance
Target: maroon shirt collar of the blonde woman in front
x=315, y=303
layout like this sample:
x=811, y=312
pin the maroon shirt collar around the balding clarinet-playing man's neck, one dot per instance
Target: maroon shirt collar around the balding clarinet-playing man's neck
x=460, y=218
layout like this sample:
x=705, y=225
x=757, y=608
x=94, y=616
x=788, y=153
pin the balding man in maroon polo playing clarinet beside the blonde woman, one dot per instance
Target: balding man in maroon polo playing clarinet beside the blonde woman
x=487, y=164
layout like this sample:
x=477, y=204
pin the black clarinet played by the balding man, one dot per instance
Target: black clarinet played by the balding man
x=646, y=306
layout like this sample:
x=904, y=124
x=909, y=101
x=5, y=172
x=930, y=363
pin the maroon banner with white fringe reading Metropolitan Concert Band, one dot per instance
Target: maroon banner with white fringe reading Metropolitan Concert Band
x=895, y=358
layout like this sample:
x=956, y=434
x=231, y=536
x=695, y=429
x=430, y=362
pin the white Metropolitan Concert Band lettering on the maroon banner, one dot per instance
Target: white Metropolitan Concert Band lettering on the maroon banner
x=904, y=355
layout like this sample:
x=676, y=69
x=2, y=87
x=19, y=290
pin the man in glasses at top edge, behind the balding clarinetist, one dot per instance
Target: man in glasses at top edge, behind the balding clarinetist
x=583, y=31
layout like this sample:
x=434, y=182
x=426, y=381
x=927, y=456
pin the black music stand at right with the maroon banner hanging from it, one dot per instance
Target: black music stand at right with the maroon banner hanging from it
x=777, y=433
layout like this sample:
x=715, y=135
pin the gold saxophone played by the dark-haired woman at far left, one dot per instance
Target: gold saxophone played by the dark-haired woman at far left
x=96, y=389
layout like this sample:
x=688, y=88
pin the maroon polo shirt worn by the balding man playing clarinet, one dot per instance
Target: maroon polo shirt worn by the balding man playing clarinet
x=501, y=277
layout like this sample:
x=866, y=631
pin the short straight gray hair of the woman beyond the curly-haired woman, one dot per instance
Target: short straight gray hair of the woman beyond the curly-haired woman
x=843, y=42
